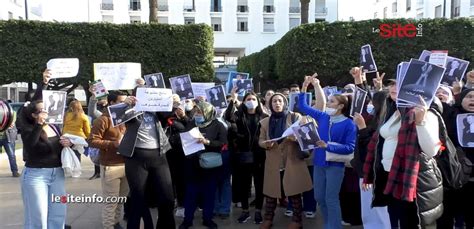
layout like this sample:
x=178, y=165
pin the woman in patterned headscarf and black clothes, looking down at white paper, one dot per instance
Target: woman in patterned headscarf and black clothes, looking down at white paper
x=200, y=182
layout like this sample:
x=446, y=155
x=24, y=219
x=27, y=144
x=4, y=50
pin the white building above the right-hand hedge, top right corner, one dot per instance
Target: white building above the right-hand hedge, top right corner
x=423, y=8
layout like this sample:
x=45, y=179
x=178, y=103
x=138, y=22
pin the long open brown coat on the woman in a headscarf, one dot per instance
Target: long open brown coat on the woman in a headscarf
x=296, y=179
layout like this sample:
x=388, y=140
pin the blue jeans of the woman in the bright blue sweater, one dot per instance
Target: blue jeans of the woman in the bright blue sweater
x=327, y=185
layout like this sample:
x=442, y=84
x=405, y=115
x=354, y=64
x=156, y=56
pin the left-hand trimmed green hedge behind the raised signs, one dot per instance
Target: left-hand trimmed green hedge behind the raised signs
x=26, y=46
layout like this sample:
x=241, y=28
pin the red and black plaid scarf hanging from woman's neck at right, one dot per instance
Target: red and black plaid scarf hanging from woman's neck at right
x=403, y=176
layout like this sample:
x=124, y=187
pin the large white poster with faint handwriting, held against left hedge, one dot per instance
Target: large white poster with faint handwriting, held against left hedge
x=118, y=76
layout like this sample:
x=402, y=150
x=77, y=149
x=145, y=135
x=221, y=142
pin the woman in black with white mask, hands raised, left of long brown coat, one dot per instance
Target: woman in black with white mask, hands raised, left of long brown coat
x=250, y=156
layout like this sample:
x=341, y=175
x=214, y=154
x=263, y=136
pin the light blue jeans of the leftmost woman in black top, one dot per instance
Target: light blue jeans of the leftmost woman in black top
x=38, y=185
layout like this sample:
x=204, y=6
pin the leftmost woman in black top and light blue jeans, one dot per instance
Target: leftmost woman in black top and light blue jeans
x=43, y=176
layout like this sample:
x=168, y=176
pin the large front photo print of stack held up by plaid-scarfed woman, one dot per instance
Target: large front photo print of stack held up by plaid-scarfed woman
x=421, y=78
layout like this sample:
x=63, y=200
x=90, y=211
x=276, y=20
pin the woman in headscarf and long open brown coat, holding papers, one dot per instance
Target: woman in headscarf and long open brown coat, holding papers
x=282, y=155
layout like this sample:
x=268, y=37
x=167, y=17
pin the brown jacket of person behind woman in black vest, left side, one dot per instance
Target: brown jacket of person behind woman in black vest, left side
x=102, y=136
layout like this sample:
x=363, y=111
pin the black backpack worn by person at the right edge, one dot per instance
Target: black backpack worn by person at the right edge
x=452, y=161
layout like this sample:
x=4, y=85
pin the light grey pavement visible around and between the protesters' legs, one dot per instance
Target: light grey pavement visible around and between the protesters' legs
x=88, y=215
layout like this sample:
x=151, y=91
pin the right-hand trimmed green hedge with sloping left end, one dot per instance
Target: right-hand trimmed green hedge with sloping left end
x=332, y=49
